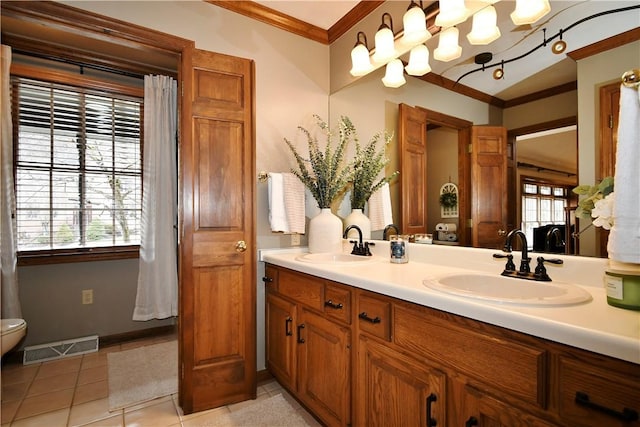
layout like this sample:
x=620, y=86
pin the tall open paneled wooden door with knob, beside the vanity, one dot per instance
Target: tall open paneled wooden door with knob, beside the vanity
x=217, y=248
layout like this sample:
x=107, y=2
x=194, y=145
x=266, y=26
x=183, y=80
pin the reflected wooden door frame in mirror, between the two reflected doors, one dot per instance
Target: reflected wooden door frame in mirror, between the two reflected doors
x=463, y=127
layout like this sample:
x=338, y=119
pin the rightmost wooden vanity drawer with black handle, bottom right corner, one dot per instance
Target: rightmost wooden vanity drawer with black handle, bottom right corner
x=596, y=396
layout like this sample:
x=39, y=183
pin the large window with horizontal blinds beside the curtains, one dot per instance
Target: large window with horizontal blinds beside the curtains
x=78, y=167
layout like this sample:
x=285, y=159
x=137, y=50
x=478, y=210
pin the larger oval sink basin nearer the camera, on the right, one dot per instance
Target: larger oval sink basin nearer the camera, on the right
x=509, y=290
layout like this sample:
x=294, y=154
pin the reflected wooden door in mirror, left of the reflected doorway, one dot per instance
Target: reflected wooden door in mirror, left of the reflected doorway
x=412, y=145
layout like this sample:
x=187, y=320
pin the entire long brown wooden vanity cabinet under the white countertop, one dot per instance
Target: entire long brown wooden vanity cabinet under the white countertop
x=414, y=365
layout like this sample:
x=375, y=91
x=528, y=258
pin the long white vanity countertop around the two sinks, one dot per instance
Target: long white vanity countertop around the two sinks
x=594, y=326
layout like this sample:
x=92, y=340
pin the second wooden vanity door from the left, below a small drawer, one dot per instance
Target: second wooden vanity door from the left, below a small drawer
x=324, y=368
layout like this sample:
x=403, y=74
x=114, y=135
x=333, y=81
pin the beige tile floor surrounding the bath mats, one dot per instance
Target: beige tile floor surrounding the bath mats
x=74, y=392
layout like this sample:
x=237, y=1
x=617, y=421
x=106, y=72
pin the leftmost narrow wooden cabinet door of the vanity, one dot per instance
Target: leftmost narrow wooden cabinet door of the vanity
x=280, y=319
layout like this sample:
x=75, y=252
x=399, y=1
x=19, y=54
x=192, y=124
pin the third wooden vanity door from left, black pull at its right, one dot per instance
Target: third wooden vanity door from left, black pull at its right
x=395, y=390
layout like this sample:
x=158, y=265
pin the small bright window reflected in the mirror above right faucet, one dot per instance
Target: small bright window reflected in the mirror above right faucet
x=542, y=204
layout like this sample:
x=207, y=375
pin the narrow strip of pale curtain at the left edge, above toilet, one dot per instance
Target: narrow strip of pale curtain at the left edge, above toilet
x=10, y=300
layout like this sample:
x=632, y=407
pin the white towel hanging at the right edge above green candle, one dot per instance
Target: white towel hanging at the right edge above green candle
x=624, y=239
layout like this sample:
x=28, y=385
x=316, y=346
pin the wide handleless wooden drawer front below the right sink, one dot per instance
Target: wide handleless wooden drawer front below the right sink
x=513, y=368
